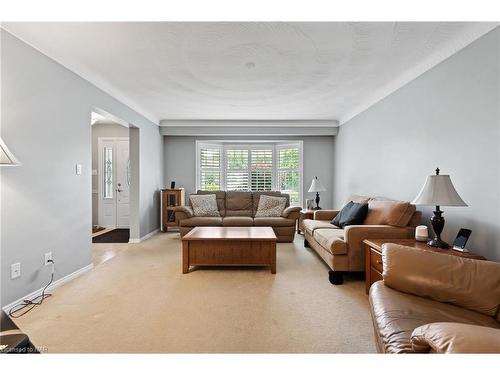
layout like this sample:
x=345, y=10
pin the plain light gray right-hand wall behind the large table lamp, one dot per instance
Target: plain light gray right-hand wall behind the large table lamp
x=448, y=117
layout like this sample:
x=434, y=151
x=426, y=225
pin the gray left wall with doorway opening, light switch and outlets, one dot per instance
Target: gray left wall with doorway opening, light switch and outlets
x=45, y=206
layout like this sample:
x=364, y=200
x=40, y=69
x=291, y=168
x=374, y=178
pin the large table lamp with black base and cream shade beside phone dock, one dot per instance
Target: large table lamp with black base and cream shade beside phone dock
x=438, y=191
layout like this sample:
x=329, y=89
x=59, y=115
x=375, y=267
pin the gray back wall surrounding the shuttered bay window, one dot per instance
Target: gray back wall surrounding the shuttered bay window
x=180, y=161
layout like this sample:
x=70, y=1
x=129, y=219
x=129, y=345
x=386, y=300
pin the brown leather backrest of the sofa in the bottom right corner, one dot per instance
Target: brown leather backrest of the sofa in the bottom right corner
x=469, y=283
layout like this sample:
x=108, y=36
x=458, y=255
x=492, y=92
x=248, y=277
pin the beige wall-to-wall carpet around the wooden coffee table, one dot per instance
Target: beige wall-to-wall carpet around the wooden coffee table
x=139, y=301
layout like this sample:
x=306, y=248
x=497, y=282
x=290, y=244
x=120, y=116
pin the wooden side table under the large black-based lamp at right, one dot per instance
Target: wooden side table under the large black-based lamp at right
x=373, y=256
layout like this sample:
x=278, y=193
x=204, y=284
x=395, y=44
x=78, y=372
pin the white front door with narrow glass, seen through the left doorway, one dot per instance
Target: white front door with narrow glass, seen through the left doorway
x=113, y=182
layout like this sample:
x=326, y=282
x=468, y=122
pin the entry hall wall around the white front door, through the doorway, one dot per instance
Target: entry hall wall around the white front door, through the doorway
x=98, y=131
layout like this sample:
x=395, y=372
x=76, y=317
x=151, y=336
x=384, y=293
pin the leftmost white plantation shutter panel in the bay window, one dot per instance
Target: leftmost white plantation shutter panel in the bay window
x=210, y=167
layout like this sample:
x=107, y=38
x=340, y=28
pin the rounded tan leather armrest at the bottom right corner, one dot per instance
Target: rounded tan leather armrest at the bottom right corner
x=447, y=338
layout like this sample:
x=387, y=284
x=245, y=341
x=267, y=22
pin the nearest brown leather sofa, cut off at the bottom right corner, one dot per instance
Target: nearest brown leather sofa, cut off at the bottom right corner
x=439, y=303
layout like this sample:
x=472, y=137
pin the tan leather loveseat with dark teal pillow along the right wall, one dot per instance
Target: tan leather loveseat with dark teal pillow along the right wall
x=342, y=249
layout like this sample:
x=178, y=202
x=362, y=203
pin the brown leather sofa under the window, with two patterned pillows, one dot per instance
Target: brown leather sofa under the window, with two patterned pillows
x=237, y=209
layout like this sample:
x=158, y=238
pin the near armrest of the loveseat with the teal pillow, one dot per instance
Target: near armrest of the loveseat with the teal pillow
x=355, y=234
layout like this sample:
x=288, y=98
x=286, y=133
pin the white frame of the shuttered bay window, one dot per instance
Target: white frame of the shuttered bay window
x=274, y=145
